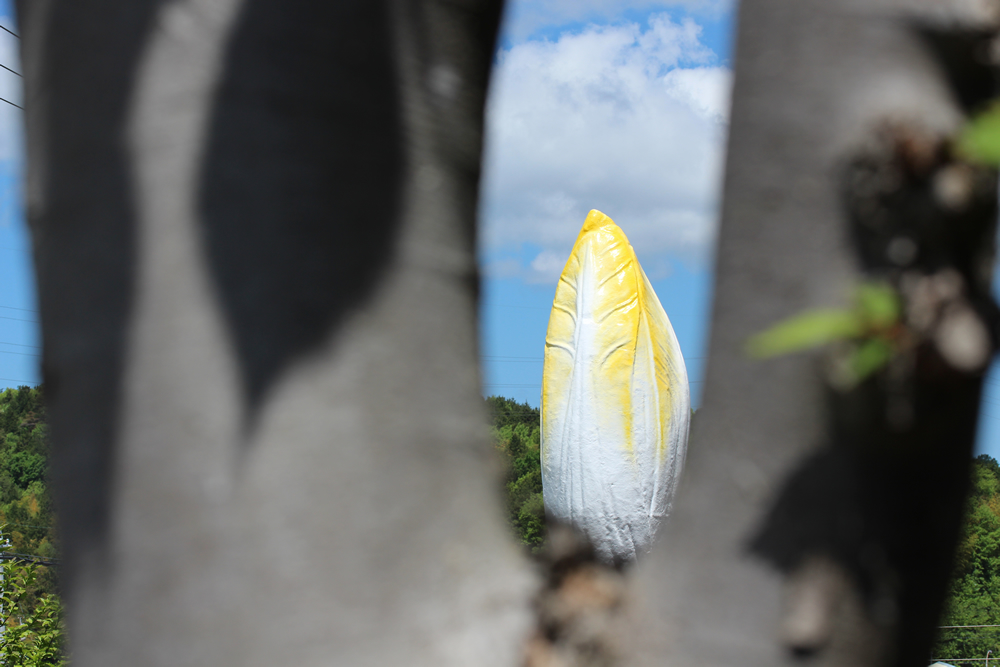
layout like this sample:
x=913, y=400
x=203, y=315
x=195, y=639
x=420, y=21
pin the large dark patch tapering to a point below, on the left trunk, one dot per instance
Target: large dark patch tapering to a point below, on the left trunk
x=301, y=180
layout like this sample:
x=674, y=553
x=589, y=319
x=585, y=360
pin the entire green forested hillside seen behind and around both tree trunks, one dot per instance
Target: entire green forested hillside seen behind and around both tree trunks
x=26, y=513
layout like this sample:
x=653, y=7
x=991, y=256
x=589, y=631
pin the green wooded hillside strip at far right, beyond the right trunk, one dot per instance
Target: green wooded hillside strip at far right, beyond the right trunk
x=975, y=589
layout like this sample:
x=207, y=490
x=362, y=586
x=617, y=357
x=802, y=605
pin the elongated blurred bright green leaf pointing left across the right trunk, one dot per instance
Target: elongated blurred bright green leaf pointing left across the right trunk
x=805, y=331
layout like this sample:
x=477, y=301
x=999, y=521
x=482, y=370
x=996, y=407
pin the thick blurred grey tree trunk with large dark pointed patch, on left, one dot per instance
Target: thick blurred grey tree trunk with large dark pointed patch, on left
x=254, y=228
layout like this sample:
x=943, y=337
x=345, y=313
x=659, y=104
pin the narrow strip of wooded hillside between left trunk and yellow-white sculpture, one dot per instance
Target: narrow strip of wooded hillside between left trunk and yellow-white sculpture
x=515, y=431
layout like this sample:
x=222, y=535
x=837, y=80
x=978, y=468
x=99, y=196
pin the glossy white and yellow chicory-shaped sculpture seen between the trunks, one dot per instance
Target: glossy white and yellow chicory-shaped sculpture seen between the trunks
x=615, y=398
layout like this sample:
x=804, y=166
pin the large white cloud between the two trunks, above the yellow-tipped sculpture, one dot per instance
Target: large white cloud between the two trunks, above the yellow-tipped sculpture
x=626, y=119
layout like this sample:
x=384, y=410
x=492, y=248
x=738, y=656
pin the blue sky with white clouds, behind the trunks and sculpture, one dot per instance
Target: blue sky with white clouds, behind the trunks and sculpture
x=616, y=105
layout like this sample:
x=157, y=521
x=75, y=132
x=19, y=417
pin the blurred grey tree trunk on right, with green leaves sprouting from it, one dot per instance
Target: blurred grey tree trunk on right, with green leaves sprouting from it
x=812, y=520
